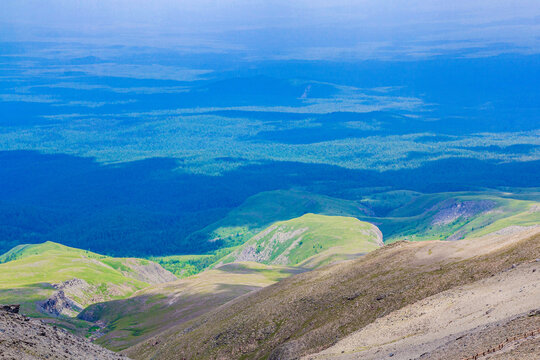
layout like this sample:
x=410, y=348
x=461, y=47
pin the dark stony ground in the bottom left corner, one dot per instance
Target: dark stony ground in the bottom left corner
x=22, y=338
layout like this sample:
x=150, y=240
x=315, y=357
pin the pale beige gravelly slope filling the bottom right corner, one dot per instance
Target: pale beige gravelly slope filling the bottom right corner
x=427, y=329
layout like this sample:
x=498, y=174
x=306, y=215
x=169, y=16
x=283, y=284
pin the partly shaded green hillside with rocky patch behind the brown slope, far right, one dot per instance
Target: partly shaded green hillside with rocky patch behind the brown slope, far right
x=452, y=216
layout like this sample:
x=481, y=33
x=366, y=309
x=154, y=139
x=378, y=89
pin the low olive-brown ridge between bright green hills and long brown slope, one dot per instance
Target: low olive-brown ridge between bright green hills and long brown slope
x=159, y=307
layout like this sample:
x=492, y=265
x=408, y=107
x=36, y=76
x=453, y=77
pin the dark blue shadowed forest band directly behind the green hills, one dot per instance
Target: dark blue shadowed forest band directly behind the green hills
x=149, y=207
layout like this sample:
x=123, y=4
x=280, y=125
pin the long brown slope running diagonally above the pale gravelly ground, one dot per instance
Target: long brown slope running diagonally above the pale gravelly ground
x=311, y=311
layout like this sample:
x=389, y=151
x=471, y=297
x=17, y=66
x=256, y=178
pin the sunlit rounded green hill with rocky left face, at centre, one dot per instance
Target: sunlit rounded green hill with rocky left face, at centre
x=309, y=241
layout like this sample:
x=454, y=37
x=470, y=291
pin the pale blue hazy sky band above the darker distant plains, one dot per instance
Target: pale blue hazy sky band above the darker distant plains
x=302, y=29
